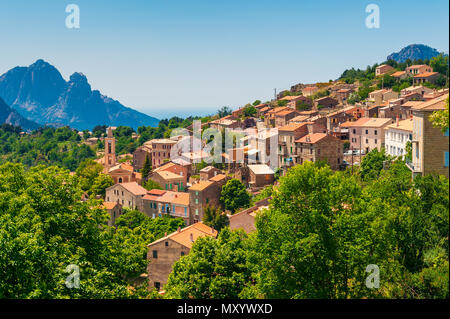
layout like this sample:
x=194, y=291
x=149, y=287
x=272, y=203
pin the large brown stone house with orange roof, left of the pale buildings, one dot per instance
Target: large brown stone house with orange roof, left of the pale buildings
x=320, y=147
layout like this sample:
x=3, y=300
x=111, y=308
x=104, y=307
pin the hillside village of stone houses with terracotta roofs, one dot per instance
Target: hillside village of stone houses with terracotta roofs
x=337, y=123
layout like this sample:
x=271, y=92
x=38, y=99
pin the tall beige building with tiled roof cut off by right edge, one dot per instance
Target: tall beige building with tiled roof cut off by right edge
x=430, y=147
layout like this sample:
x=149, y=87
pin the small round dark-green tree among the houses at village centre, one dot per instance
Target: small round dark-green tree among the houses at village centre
x=234, y=195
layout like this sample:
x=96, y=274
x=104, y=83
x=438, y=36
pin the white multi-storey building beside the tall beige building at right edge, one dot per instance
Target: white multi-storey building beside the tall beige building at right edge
x=396, y=137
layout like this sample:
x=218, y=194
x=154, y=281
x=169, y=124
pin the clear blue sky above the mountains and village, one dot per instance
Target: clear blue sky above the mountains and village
x=180, y=57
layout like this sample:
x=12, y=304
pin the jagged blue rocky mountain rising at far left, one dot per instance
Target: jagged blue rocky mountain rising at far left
x=40, y=94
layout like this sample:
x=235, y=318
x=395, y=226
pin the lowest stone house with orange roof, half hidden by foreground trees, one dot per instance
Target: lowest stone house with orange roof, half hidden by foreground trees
x=164, y=252
